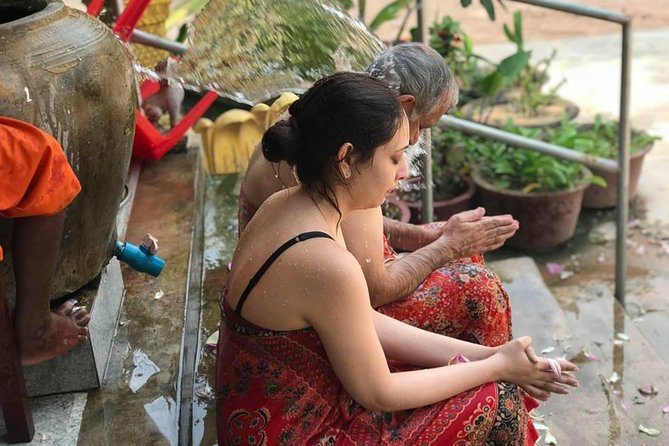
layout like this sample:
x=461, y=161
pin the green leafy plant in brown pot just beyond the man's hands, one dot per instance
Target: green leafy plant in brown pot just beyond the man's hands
x=542, y=192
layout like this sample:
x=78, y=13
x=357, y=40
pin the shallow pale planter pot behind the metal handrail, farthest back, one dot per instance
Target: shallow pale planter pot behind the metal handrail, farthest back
x=497, y=112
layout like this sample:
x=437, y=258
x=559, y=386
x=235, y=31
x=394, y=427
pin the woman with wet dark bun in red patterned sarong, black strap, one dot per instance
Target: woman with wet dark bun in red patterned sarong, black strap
x=302, y=356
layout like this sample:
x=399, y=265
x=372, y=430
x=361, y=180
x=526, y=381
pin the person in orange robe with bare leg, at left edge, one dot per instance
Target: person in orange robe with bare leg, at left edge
x=36, y=184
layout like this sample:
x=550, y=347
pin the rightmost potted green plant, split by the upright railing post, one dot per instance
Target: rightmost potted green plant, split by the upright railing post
x=601, y=139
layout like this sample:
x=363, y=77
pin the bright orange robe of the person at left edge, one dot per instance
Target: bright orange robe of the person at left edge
x=35, y=177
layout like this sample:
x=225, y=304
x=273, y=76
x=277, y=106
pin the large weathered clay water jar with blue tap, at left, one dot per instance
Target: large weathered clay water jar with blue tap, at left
x=67, y=74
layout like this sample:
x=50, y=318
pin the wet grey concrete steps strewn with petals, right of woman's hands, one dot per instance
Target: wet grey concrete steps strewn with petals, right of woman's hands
x=599, y=412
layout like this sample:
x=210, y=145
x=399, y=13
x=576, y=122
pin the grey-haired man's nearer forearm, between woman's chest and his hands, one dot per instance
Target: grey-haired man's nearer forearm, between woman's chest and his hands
x=404, y=275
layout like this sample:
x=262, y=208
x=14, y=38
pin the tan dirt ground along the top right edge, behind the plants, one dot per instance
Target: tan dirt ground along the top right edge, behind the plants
x=539, y=23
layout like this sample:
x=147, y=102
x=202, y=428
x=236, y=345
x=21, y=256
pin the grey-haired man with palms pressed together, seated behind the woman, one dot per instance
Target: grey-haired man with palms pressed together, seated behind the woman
x=442, y=285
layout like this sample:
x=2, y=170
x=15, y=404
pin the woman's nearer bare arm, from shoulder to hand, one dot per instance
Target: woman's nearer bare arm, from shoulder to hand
x=336, y=304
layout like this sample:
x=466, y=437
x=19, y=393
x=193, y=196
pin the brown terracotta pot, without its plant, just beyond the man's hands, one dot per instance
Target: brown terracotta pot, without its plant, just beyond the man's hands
x=546, y=219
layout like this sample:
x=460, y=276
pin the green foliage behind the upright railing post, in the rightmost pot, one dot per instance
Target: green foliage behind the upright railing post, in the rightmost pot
x=600, y=139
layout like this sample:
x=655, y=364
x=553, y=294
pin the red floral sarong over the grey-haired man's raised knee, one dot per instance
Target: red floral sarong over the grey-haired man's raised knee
x=464, y=299
